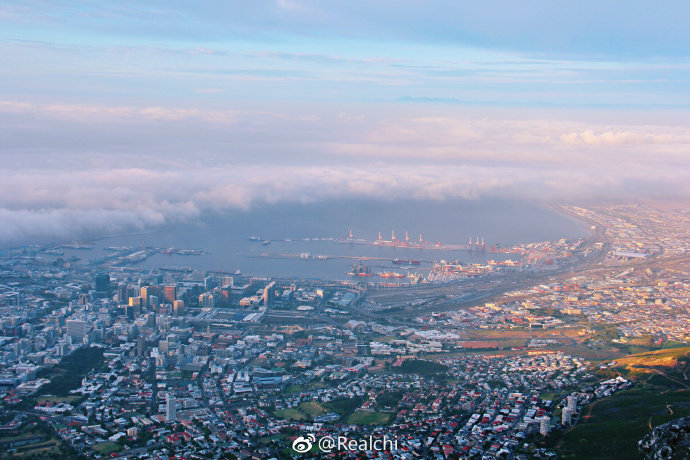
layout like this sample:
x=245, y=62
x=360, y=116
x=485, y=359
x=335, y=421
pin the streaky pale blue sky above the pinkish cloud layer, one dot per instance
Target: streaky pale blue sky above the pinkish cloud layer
x=534, y=53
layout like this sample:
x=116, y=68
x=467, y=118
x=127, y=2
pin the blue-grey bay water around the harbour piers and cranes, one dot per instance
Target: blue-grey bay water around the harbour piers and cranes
x=322, y=229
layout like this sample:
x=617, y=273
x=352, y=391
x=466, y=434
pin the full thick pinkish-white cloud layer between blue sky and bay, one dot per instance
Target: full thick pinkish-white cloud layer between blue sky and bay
x=95, y=170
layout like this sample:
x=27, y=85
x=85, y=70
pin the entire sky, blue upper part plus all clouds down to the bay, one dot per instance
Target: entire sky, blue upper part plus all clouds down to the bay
x=121, y=114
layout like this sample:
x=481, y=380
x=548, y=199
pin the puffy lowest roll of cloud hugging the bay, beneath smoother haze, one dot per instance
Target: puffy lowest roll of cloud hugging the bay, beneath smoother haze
x=58, y=205
